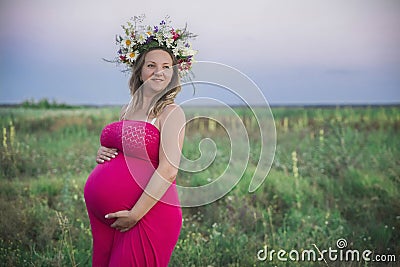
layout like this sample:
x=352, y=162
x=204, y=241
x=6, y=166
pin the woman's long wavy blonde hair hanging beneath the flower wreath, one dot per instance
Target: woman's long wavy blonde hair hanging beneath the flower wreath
x=160, y=101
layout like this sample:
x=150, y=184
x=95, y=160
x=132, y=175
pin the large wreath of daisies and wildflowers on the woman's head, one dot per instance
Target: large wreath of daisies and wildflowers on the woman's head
x=140, y=38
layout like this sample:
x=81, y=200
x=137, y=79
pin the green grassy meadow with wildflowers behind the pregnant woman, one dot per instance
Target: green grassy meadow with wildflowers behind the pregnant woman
x=336, y=175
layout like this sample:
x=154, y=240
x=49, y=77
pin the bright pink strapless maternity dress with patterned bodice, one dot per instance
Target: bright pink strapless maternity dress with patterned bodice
x=117, y=185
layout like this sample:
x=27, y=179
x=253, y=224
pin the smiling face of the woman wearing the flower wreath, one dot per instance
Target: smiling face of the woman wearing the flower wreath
x=157, y=70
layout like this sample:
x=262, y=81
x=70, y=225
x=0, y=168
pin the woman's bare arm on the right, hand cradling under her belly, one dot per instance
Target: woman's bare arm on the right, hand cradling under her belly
x=172, y=130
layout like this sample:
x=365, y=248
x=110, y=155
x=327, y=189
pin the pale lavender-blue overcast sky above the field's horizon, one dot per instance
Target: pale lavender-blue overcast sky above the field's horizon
x=296, y=52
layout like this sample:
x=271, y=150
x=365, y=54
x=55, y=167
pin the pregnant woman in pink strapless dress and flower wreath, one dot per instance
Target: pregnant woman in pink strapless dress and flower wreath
x=131, y=195
